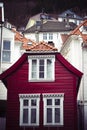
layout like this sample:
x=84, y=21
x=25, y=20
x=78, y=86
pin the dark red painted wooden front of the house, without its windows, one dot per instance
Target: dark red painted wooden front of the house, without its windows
x=16, y=81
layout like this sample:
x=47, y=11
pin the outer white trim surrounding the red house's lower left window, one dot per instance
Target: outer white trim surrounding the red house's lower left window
x=29, y=97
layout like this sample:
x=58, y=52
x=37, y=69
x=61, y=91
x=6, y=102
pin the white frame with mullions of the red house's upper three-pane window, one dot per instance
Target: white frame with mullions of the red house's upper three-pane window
x=45, y=57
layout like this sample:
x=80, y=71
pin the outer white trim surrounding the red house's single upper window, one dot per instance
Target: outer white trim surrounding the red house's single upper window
x=38, y=57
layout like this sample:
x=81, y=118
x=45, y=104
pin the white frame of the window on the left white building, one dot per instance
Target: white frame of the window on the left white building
x=6, y=50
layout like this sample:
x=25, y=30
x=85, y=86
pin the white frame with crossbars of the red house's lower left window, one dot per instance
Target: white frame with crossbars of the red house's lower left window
x=29, y=97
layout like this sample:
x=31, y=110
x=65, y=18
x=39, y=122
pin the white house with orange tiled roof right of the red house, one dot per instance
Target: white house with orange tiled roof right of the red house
x=75, y=51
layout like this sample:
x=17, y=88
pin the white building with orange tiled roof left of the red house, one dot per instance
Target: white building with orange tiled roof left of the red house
x=10, y=50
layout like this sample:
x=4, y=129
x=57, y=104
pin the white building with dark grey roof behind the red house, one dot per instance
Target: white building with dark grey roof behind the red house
x=49, y=31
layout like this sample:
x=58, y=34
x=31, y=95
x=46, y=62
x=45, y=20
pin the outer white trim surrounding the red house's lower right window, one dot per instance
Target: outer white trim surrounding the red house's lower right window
x=53, y=96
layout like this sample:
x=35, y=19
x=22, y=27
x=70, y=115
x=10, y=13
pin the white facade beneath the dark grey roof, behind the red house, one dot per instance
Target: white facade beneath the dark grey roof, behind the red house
x=53, y=37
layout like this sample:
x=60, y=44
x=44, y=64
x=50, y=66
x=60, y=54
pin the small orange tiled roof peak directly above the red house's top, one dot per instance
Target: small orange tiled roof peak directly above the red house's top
x=41, y=46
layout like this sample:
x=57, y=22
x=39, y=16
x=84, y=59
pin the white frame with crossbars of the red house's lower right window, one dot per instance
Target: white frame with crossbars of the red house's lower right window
x=53, y=97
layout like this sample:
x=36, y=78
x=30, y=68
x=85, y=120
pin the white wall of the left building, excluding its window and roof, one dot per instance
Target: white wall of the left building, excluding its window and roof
x=15, y=54
